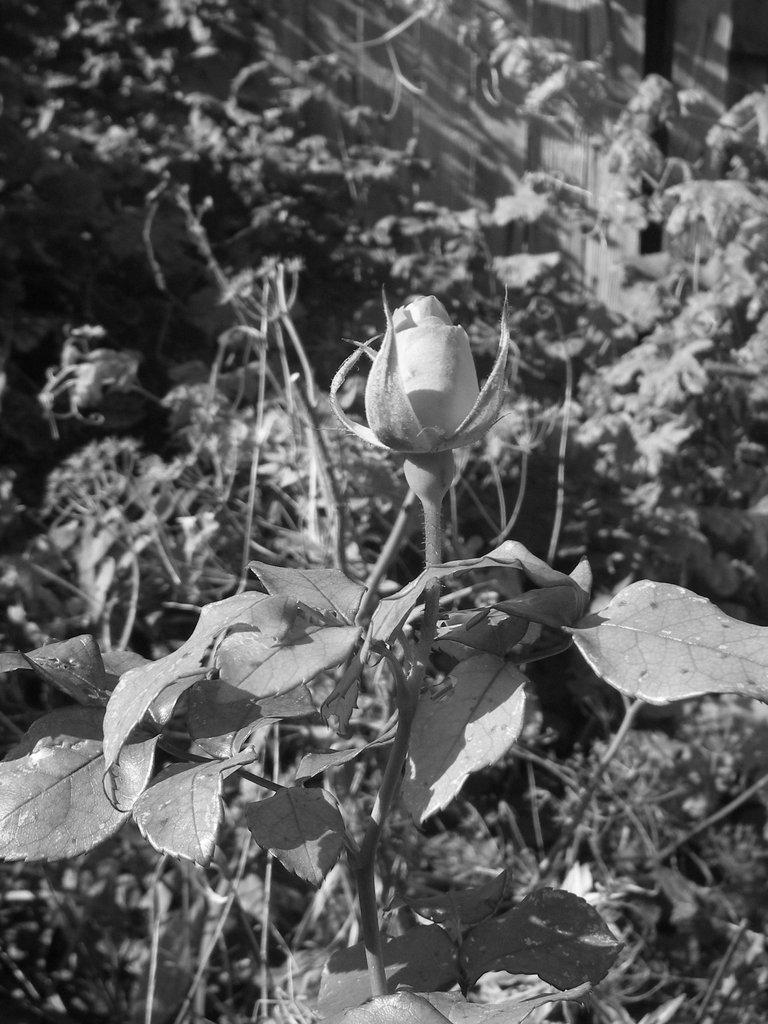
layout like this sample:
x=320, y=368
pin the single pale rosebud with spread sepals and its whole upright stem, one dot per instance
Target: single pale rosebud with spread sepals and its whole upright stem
x=422, y=401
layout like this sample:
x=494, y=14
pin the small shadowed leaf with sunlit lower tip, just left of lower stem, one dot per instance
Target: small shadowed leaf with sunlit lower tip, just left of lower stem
x=303, y=828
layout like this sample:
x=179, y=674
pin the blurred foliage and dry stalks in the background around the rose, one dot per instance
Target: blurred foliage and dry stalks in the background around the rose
x=183, y=254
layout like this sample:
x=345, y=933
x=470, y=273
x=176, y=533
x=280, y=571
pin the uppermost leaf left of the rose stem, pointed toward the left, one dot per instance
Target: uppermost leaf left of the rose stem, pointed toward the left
x=328, y=592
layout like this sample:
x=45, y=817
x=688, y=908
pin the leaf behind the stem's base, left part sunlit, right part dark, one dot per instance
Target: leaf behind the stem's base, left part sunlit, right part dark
x=422, y=959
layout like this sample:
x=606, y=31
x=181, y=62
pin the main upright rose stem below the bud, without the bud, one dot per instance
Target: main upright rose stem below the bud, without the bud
x=408, y=698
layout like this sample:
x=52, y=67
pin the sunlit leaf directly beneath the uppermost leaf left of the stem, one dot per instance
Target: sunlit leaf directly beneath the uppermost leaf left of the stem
x=268, y=669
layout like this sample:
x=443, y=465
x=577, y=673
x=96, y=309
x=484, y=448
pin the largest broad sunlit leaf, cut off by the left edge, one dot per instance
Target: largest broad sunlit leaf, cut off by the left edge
x=53, y=800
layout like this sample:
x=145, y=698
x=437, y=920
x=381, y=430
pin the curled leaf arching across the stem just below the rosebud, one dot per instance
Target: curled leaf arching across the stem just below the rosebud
x=510, y=557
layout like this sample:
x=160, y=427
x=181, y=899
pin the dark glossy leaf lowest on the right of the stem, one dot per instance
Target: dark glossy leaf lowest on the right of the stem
x=553, y=934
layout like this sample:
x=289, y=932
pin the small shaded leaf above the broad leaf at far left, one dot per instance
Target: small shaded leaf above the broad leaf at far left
x=75, y=667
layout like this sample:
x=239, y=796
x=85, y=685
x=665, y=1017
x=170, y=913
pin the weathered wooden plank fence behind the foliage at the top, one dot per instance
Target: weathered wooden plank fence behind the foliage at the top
x=428, y=69
